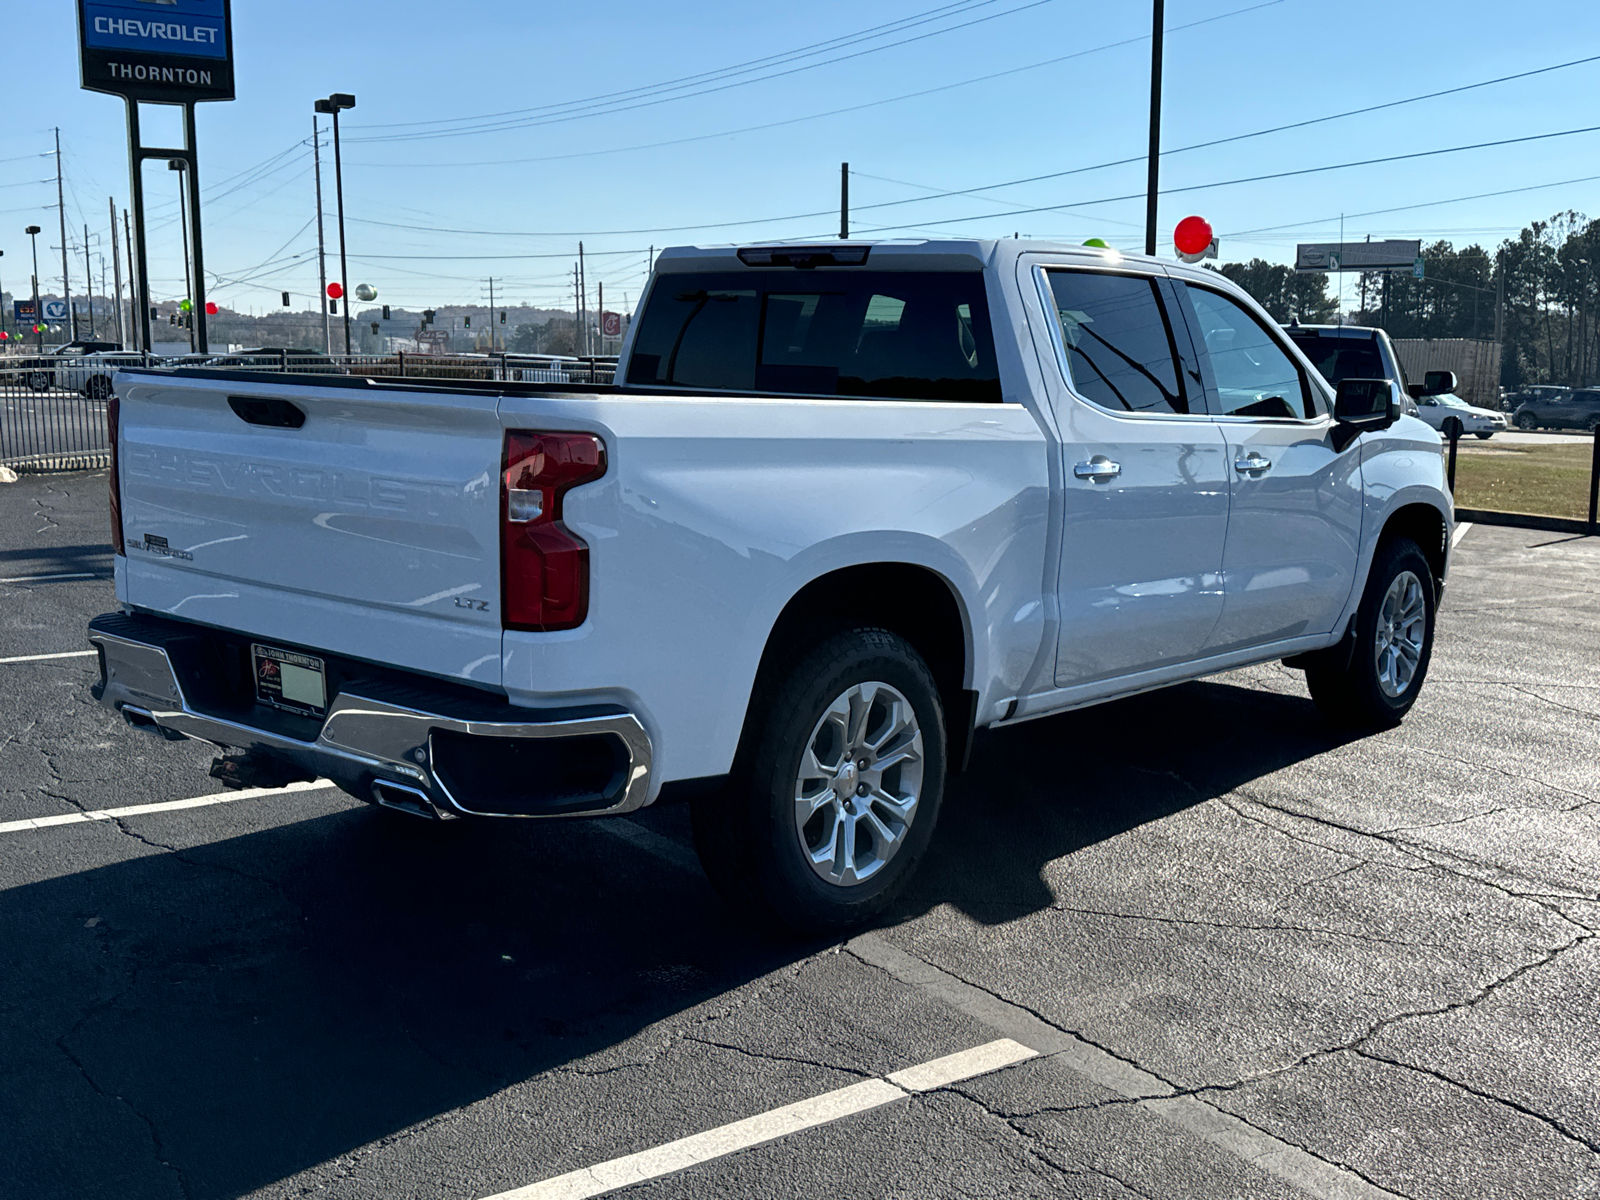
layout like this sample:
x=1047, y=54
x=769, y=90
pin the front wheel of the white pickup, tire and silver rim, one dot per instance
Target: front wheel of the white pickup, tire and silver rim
x=1394, y=644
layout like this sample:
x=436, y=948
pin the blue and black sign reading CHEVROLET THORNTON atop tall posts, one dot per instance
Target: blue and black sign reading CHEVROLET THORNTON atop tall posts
x=166, y=52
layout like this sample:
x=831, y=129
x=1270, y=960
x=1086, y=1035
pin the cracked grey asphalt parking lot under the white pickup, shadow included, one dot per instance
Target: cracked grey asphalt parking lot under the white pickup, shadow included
x=1238, y=954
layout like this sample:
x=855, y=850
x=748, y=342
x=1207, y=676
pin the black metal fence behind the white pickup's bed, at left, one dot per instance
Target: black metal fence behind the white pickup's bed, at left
x=54, y=414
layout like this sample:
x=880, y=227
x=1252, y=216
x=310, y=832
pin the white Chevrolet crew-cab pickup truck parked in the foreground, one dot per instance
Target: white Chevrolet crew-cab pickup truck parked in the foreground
x=846, y=506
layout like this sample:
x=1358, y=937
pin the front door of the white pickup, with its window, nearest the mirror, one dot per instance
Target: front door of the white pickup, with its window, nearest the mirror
x=1295, y=521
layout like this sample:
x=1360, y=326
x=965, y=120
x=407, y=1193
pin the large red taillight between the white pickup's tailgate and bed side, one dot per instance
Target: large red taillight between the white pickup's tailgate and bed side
x=545, y=567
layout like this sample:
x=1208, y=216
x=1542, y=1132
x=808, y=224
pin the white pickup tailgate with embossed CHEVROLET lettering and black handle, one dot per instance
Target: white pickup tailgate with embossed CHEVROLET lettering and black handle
x=369, y=530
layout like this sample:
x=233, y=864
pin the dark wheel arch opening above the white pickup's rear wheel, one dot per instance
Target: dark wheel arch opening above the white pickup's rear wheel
x=910, y=599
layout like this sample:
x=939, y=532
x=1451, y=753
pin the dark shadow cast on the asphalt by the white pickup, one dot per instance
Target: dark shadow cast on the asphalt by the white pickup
x=217, y=1020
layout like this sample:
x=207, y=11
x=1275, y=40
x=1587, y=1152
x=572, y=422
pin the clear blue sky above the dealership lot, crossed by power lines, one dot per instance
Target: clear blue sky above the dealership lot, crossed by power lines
x=633, y=172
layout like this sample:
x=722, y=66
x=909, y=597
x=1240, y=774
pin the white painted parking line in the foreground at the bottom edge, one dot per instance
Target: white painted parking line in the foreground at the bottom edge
x=874, y=1094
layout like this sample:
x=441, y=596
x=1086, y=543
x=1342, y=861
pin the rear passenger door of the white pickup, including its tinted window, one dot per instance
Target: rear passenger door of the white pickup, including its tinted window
x=1145, y=478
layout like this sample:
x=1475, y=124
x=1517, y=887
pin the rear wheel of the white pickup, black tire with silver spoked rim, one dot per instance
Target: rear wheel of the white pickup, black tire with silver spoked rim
x=838, y=793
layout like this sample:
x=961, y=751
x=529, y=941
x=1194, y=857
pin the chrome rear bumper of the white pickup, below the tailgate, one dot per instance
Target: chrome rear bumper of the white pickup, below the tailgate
x=370, y=743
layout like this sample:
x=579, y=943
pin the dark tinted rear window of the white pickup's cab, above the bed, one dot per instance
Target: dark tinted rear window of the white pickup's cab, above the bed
x=850, y=334
